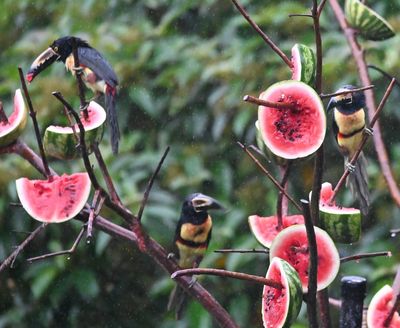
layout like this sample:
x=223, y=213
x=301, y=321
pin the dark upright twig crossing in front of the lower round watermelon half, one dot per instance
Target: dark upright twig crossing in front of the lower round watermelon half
x=312, y=266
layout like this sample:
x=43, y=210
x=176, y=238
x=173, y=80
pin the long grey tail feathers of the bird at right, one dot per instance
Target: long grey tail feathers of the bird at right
x=358, y=183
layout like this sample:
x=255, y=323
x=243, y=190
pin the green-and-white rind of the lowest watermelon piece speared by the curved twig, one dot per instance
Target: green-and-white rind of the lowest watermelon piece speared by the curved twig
x=291, y=281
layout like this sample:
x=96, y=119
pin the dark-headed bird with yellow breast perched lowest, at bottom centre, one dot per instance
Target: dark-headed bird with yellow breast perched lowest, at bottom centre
x=192, y=236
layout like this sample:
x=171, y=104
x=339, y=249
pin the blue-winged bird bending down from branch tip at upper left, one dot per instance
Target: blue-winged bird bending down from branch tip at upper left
x=98, y=75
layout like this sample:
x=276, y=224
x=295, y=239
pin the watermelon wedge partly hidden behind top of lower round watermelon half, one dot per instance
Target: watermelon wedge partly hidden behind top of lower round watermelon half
x=265, y=228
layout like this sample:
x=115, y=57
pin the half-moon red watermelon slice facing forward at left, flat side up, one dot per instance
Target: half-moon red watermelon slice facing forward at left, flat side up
x=56, y=200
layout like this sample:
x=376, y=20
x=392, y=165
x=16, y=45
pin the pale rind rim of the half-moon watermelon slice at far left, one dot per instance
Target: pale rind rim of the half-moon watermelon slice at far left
x=26, y=201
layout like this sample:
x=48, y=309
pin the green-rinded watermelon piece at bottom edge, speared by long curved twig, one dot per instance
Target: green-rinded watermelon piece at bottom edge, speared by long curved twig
x=281, y=307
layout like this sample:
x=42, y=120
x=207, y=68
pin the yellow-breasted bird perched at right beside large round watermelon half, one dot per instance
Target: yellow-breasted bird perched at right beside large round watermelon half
x=349, y=125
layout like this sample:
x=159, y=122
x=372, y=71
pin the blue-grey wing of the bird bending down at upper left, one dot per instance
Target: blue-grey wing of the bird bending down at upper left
x=91, y=58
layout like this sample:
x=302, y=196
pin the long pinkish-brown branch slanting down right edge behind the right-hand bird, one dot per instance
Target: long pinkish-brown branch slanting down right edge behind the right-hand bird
x=358, y=55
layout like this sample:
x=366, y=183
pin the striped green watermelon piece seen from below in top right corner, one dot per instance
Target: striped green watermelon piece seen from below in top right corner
x=370, y=24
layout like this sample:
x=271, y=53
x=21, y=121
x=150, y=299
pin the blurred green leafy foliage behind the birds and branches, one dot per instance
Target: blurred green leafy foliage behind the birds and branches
x=184, y=66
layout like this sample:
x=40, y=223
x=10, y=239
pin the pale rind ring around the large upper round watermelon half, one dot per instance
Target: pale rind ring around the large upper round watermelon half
x=282, y=151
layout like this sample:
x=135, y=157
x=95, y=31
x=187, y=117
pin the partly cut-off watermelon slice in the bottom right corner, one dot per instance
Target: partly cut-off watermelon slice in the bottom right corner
x=379, y=308
